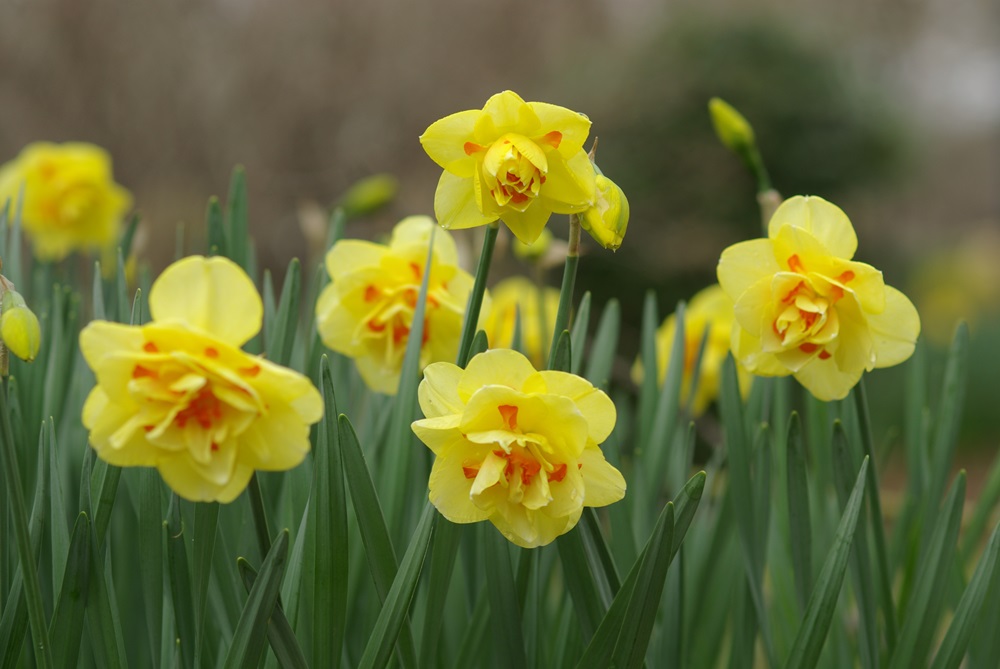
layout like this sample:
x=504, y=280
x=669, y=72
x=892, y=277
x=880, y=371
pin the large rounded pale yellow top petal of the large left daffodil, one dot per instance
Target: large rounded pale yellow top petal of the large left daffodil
x=211, y=294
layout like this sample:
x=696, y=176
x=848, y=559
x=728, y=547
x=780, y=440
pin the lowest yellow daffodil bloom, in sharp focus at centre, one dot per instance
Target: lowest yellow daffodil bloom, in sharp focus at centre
x=515, y=446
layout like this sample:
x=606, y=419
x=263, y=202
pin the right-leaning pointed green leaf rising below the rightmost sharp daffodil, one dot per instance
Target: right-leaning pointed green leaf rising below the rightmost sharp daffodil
x=823, y=601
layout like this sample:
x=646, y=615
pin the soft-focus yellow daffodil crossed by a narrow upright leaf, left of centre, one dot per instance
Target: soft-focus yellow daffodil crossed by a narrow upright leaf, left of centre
x=367, y=311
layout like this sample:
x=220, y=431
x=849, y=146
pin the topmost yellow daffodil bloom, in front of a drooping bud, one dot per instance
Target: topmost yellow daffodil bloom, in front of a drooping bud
x=513, y=160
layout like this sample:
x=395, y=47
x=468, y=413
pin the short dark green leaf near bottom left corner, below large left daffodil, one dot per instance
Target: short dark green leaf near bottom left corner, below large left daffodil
x=66, y=629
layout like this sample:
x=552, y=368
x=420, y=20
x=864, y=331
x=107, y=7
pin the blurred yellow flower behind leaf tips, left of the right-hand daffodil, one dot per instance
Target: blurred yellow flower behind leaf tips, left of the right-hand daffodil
x=709, y=309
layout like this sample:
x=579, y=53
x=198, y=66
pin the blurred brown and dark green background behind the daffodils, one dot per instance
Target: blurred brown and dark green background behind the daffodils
x=889, y=109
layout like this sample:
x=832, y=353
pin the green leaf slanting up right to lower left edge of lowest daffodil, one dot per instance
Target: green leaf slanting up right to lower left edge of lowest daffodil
x=392, y=617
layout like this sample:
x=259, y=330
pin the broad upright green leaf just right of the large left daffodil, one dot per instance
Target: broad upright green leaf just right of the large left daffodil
x=328, y=527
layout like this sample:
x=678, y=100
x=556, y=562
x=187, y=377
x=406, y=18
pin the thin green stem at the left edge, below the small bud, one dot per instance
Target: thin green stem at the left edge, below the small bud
x=32, y=588
